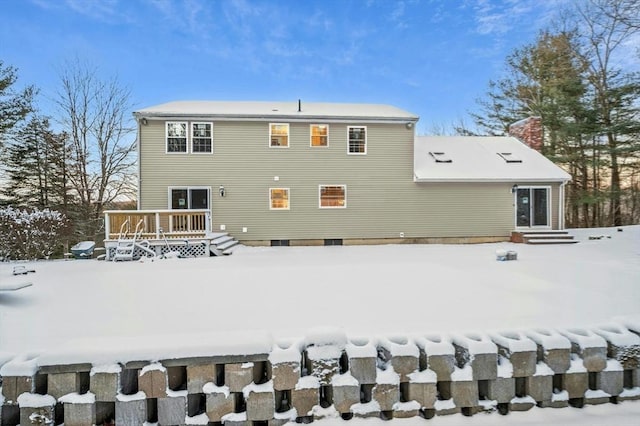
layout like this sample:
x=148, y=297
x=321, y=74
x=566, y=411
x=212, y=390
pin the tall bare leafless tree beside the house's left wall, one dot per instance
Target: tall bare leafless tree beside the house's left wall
x=95, y=113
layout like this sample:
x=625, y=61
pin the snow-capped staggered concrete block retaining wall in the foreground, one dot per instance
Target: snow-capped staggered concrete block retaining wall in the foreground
x=329, y=375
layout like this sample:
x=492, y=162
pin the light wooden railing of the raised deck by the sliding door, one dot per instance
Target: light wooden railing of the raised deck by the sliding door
x=157, y=224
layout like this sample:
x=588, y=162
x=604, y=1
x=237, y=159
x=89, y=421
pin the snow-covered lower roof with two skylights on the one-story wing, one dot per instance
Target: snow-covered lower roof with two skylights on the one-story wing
x=481, y=159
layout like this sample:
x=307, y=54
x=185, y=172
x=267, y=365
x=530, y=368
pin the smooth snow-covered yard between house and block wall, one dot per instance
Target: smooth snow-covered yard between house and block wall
x=285, y=291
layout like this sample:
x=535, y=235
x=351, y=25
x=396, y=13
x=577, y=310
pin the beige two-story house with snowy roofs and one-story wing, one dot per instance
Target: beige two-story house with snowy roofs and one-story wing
x=280, y=173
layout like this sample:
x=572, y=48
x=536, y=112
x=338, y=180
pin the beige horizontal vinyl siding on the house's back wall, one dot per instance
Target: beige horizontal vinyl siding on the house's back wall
x=382, y=199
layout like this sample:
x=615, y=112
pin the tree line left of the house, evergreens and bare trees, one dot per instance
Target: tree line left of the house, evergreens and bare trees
x=79, y=160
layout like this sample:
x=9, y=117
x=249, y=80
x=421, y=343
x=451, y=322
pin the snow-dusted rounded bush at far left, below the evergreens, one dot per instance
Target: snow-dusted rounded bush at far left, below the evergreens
x=30, y=234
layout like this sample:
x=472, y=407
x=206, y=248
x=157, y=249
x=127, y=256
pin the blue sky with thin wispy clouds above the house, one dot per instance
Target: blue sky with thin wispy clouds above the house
x=433, y=58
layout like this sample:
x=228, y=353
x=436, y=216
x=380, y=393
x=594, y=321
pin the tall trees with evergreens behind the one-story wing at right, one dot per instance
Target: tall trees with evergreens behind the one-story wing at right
x=575, y=77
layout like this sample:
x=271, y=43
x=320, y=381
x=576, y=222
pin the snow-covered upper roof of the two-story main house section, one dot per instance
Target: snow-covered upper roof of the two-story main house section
x=276, y=110
